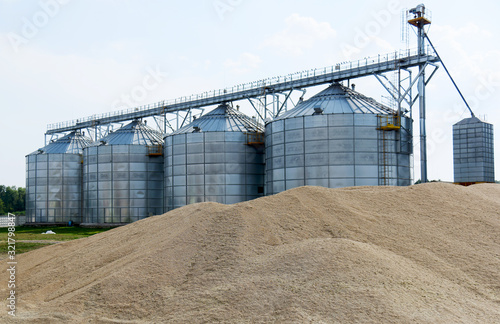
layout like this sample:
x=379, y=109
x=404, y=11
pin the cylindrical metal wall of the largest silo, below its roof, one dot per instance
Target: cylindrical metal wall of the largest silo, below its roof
x=336, y=150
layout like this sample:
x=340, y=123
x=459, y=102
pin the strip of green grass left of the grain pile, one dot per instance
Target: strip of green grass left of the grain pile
x=24, y=233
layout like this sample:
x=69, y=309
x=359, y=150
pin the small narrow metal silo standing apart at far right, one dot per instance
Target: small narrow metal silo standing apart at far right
x=473, y=157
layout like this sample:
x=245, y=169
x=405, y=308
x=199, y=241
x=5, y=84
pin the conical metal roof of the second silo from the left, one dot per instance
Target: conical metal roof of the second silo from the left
x=135, y=133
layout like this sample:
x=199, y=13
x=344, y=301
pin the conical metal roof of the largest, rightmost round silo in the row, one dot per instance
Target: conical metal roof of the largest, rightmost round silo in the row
x=338, y=99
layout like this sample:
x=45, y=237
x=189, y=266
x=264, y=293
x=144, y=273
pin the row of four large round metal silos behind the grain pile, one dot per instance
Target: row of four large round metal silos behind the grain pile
x=337, y=138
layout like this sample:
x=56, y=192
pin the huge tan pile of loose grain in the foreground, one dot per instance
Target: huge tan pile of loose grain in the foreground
x=427, y=253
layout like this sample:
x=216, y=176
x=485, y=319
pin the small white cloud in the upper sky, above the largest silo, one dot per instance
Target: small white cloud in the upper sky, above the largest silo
x=300, y=33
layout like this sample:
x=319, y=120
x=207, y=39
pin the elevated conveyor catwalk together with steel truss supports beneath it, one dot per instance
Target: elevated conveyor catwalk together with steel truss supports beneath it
x=269, y=97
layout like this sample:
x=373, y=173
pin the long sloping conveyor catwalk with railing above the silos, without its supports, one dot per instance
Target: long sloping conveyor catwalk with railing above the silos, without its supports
x=337, y=73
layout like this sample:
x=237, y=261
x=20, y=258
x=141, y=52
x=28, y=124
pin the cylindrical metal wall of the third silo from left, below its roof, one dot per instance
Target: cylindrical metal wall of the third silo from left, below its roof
x=211, y=166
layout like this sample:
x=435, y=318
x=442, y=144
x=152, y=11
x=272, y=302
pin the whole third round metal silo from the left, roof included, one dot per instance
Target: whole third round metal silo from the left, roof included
x=218, y=157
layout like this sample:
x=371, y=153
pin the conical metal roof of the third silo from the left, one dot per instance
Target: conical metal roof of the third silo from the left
x=222, y=119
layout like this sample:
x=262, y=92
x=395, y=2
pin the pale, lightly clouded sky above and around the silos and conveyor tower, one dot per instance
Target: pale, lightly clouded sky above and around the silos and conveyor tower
x=66, y=59
